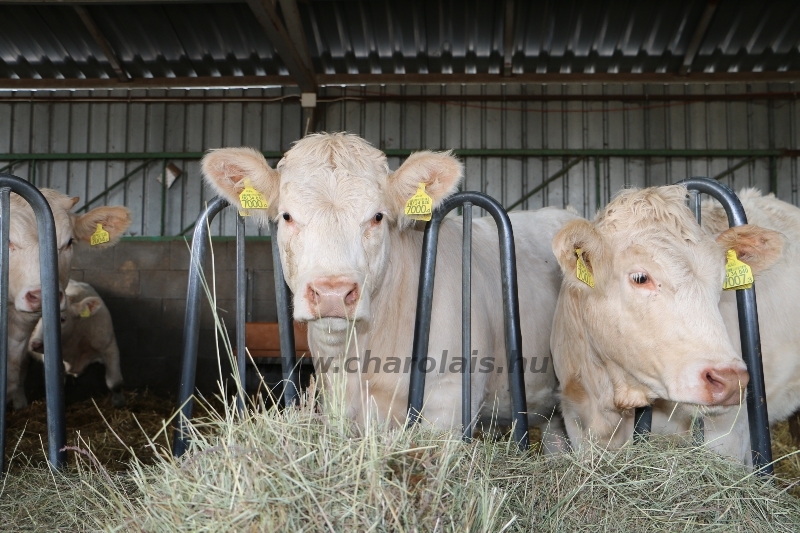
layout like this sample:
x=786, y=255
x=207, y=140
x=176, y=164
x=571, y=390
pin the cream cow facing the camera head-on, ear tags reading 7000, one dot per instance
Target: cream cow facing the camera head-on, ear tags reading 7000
x=351, y=257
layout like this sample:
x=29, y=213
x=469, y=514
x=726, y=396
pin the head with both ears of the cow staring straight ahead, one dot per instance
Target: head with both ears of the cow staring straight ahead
x=336, y=204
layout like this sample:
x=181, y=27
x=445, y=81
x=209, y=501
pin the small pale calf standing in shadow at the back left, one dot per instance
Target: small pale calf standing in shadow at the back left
x=87, y=336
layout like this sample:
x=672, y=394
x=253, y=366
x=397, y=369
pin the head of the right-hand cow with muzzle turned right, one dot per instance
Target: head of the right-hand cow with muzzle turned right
x=651, y=326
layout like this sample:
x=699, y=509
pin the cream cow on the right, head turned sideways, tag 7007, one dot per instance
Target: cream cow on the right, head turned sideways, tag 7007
x=657, y=324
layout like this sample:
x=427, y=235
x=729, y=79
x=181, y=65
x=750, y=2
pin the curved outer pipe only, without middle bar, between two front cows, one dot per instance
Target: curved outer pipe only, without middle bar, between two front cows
x=513, y=334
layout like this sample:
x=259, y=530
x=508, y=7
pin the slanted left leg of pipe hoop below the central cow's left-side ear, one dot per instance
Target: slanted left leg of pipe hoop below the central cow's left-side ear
x=191, y=322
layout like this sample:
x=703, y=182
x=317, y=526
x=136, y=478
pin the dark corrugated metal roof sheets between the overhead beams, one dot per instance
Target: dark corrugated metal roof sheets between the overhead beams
x=403, y=37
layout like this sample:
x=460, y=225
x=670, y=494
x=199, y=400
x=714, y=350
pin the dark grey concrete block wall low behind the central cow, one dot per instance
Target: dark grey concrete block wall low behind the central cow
x=143, y=282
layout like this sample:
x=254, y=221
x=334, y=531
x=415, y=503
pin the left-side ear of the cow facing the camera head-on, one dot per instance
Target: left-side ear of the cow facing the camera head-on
x=227, y=169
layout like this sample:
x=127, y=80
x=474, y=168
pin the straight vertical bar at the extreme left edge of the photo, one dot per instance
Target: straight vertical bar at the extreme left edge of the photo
x=5, y=216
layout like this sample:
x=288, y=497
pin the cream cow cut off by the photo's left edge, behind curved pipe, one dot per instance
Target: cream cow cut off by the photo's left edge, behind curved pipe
x=24, y=289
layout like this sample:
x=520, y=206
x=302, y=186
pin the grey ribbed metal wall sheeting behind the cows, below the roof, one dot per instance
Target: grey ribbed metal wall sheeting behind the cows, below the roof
x=273, y=123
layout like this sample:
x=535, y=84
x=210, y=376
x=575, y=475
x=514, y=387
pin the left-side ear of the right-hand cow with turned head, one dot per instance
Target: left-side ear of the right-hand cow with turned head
x=577, y=235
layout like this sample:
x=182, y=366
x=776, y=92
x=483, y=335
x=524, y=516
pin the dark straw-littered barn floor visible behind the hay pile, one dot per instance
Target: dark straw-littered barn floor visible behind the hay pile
x=92, y=421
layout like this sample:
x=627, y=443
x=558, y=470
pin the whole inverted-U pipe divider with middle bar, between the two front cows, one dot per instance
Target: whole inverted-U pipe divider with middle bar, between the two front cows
x=513, y=334
